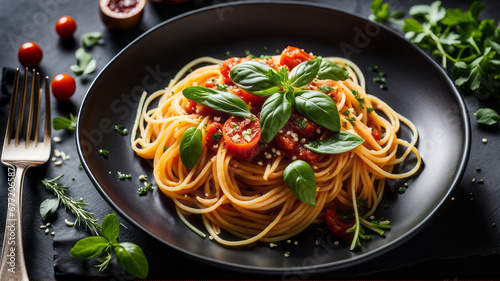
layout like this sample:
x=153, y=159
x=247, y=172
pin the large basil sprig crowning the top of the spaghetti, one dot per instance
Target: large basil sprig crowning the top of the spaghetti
x=257, y=78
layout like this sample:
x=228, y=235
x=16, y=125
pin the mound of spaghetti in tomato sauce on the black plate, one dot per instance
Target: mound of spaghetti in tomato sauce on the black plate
x=246, y=194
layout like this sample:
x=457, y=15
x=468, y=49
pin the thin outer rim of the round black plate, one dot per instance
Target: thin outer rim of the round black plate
x=463, y=112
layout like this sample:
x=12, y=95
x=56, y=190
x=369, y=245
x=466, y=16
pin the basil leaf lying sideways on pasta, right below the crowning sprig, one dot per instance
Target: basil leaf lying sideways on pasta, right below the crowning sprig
x=336, y=143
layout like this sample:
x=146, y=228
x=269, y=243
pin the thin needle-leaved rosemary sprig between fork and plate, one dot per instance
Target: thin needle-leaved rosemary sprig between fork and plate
x=76, y=207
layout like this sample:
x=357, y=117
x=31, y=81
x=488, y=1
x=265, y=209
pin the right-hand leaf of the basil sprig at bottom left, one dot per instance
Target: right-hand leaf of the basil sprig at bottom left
x=132, y=259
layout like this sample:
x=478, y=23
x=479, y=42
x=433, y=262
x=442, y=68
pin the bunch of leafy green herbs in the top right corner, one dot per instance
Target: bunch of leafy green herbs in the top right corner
x=457, y=36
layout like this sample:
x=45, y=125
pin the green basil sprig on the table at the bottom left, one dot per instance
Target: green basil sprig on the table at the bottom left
x=128, y=255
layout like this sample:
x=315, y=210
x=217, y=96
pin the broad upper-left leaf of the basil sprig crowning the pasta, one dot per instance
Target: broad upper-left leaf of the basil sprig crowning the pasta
x=254, y=77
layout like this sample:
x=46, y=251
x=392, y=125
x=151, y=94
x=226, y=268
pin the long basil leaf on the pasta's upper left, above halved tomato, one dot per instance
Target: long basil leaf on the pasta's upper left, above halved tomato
x=218, y=100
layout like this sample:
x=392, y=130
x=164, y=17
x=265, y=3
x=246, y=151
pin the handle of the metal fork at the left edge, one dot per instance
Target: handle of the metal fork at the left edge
x=13, y=266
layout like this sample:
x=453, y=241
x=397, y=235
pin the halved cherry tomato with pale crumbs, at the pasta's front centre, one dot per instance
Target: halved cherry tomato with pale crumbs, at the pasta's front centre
x=241, y=134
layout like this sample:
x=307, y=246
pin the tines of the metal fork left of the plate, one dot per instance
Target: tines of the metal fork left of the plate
x=33, y=114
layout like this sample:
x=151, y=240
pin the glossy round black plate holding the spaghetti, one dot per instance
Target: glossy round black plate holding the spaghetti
x=417, y=88
